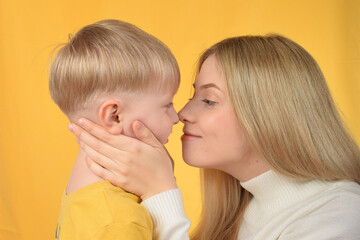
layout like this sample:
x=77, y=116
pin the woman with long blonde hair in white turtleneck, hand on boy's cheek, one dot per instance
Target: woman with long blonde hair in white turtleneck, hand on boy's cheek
x=276, y=161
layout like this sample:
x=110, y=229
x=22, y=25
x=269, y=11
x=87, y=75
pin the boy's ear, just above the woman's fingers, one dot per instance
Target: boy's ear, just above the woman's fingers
x=111, y=116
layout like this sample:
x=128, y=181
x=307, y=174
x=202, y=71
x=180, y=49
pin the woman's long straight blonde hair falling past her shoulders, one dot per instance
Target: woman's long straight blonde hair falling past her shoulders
x=282, y=101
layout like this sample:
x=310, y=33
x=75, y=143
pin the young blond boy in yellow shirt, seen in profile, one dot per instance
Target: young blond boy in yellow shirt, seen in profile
x=112, y=73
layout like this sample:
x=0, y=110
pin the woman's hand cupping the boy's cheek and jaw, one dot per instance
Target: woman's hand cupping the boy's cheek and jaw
x=141, y=166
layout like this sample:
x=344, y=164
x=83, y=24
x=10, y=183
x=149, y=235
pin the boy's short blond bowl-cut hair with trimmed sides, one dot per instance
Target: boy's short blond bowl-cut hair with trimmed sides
x=107, y=57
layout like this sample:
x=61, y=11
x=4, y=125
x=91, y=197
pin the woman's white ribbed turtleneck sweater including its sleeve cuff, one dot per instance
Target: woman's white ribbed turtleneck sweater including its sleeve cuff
x=281, y=208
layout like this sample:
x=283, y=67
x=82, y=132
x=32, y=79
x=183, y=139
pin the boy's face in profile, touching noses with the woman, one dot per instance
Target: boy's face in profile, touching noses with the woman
x=154, y=109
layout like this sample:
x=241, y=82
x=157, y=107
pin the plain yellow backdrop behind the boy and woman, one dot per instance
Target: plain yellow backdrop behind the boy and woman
x=36, y=149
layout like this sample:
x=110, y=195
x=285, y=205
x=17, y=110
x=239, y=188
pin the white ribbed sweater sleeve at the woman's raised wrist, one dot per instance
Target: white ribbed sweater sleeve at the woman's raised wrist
x=167, y=213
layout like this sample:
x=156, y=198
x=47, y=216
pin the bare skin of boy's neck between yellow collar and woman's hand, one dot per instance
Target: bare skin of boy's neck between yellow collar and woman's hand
x=81, y=176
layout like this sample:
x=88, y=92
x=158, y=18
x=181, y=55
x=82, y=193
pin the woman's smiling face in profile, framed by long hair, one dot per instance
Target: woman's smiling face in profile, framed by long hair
x=213, y=137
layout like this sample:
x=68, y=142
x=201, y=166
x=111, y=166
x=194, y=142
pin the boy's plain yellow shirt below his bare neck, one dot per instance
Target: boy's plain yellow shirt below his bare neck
x=102, y=211
